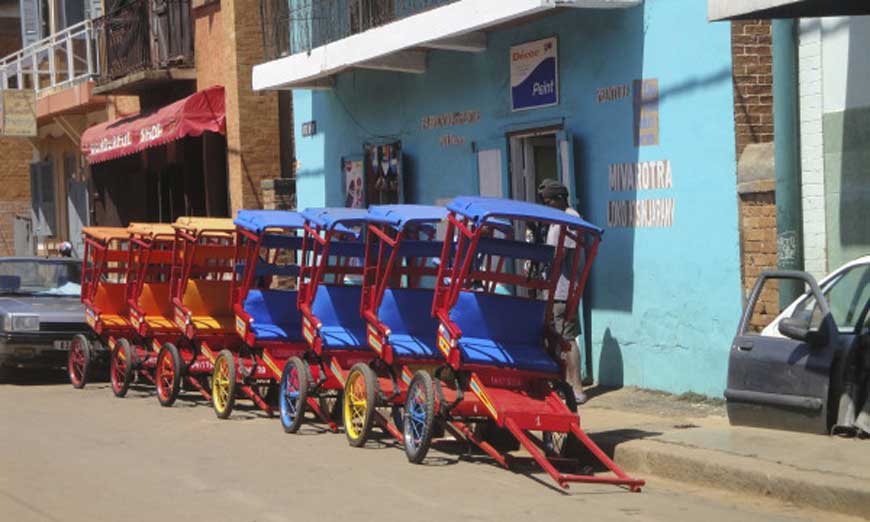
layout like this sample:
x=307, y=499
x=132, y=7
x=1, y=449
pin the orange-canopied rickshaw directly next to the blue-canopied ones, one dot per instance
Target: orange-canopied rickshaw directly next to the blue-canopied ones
x=202, y=271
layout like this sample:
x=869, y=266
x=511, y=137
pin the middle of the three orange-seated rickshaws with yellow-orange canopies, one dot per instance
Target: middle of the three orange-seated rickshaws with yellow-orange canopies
x=148, y=298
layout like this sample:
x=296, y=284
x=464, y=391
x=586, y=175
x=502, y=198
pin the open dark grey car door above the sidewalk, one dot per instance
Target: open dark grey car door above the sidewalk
x=783, y=382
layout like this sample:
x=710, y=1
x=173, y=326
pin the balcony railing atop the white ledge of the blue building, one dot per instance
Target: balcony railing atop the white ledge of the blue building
x=296, y=26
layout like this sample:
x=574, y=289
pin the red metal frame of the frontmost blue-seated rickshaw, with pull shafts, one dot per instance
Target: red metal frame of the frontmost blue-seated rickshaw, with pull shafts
x=519, y=401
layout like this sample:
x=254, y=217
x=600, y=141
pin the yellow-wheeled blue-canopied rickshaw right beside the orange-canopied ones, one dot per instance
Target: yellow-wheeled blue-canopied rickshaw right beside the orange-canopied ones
x=267, y=316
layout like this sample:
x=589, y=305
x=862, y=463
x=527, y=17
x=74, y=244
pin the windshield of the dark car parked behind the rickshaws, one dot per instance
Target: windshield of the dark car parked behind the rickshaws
x=40, y=277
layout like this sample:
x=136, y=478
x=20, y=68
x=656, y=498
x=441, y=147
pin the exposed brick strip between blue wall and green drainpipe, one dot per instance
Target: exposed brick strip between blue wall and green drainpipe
x=753, y=123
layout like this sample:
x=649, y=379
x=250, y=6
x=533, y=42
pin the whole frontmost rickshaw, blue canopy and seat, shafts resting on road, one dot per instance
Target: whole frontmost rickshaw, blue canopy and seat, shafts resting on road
x=505, y=361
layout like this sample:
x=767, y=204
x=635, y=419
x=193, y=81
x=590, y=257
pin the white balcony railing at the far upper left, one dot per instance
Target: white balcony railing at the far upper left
x=62, y=60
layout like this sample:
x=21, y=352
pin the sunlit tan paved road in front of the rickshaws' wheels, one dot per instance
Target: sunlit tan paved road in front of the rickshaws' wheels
x=70, y=455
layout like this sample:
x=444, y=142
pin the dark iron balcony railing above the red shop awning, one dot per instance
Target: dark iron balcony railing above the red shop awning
x=145, y=35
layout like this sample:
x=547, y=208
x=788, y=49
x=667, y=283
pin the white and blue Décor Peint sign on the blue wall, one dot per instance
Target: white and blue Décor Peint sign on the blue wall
x=534, y=75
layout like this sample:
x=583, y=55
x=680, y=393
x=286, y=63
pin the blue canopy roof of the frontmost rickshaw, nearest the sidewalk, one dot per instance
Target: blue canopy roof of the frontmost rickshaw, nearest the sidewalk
x=486, y=210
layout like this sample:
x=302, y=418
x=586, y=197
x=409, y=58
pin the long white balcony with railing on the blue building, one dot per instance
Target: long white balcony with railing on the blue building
x=308, y=42
